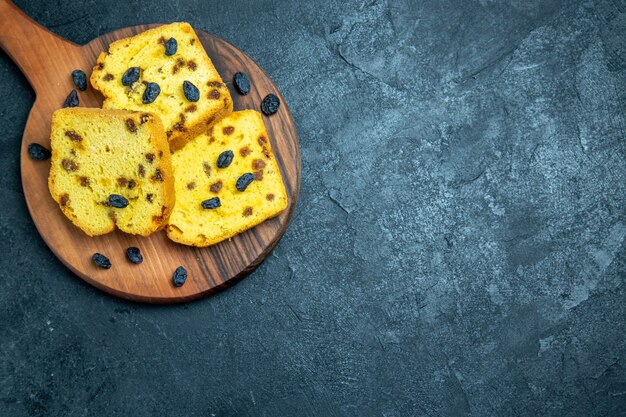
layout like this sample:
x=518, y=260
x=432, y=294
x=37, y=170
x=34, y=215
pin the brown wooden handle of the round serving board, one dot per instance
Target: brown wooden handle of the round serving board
x=31, y=46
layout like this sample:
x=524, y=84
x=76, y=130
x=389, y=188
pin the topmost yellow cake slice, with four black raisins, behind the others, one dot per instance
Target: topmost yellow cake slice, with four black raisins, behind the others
x=165, y=71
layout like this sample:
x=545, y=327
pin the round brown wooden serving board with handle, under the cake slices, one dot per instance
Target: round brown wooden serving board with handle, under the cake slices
x=47, y=61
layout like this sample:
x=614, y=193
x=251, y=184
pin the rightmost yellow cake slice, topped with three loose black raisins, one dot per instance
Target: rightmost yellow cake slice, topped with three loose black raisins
x=226, y=180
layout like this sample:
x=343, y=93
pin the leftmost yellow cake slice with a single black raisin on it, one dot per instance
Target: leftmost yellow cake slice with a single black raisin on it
x=111, y=168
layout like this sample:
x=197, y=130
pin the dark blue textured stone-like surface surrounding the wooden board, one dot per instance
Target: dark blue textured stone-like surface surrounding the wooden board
x=458, y=248
